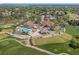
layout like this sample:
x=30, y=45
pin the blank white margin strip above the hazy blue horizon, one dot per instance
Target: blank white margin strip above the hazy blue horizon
x=39, y=1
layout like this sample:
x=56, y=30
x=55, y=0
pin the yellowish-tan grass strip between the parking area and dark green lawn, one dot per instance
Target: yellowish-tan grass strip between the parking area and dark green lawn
x=54, y=39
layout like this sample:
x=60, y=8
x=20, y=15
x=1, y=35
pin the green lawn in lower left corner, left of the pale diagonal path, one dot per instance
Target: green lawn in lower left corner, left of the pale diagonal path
x=11, y=47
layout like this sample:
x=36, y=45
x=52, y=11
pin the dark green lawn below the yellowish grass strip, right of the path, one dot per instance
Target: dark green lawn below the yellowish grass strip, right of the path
x=60, y=48
